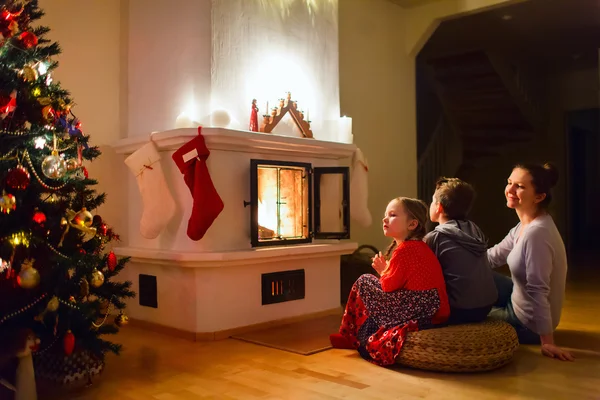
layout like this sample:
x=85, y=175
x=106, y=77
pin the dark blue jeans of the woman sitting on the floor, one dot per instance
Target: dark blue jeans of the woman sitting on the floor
x=503, y=310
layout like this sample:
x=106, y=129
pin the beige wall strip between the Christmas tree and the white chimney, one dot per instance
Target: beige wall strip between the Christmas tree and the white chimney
x=89, y=34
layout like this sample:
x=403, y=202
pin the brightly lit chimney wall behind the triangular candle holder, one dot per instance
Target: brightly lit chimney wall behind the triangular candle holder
x=262, y=49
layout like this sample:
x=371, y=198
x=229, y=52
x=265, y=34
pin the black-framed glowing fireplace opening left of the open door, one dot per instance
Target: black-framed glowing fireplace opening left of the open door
x=280, y=193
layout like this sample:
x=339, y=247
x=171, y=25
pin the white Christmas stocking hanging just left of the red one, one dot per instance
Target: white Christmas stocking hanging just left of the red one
x=158, y=204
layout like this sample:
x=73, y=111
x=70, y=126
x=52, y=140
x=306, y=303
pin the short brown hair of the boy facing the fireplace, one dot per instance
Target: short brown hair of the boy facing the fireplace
x=456, y=196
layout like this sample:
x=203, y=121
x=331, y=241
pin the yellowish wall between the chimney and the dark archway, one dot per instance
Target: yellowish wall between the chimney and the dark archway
x=377, y=88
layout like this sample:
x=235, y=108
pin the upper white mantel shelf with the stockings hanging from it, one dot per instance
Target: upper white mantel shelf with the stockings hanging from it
x=236, y=140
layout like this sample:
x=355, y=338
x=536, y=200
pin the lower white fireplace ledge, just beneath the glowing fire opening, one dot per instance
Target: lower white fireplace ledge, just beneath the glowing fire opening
x=235, y=258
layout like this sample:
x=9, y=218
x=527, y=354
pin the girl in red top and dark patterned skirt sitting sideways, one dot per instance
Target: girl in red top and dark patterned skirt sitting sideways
x=409, y=294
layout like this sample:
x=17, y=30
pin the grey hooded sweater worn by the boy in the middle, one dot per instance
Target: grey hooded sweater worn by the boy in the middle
x=461, y=248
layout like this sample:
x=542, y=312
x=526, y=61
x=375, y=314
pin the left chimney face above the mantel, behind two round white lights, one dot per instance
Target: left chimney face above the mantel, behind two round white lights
x=169, y=53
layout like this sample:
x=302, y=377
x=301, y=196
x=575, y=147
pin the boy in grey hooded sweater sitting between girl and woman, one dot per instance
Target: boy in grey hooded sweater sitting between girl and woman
x=461, y=248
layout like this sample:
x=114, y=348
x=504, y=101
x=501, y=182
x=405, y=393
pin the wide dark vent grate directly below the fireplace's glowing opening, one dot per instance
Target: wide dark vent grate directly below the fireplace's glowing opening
x=278, y=287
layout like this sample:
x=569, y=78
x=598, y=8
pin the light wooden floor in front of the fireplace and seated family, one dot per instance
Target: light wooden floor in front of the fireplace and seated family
x=154, y=366
